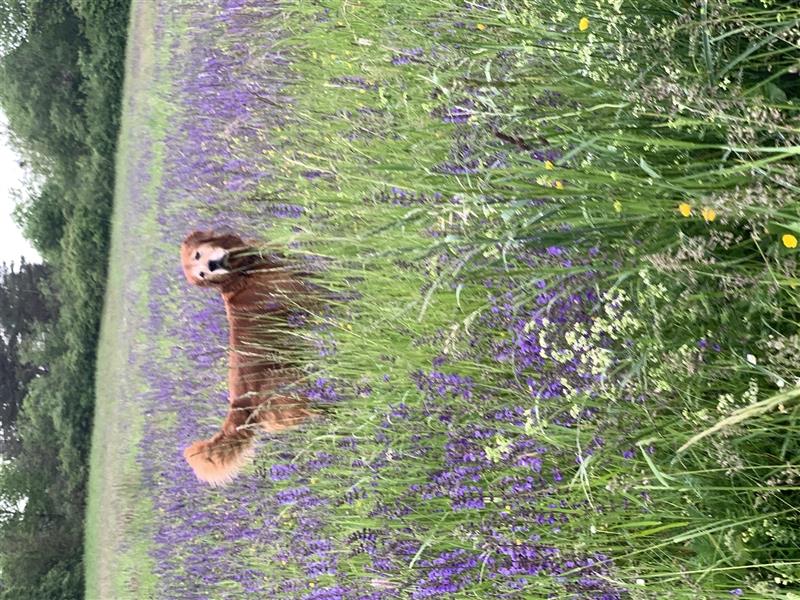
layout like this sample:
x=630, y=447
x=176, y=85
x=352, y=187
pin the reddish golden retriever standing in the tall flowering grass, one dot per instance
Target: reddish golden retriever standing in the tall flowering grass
x=259, y=291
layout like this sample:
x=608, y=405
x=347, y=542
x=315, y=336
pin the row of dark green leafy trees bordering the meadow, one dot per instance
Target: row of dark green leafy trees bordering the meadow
x=61, y=70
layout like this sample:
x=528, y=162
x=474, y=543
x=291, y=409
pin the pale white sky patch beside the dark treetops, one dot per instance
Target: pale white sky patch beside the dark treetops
x=12, y=244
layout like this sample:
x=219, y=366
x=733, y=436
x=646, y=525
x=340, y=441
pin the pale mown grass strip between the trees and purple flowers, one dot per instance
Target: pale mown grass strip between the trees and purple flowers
x=114, y=475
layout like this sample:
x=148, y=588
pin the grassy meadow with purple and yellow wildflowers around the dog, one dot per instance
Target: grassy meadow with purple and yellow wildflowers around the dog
x=559, y=357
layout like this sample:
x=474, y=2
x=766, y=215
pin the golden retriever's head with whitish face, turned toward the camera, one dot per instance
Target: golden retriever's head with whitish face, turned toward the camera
x=211, y=258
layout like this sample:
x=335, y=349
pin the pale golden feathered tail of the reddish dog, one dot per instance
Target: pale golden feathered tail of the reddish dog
x=218, y=460
